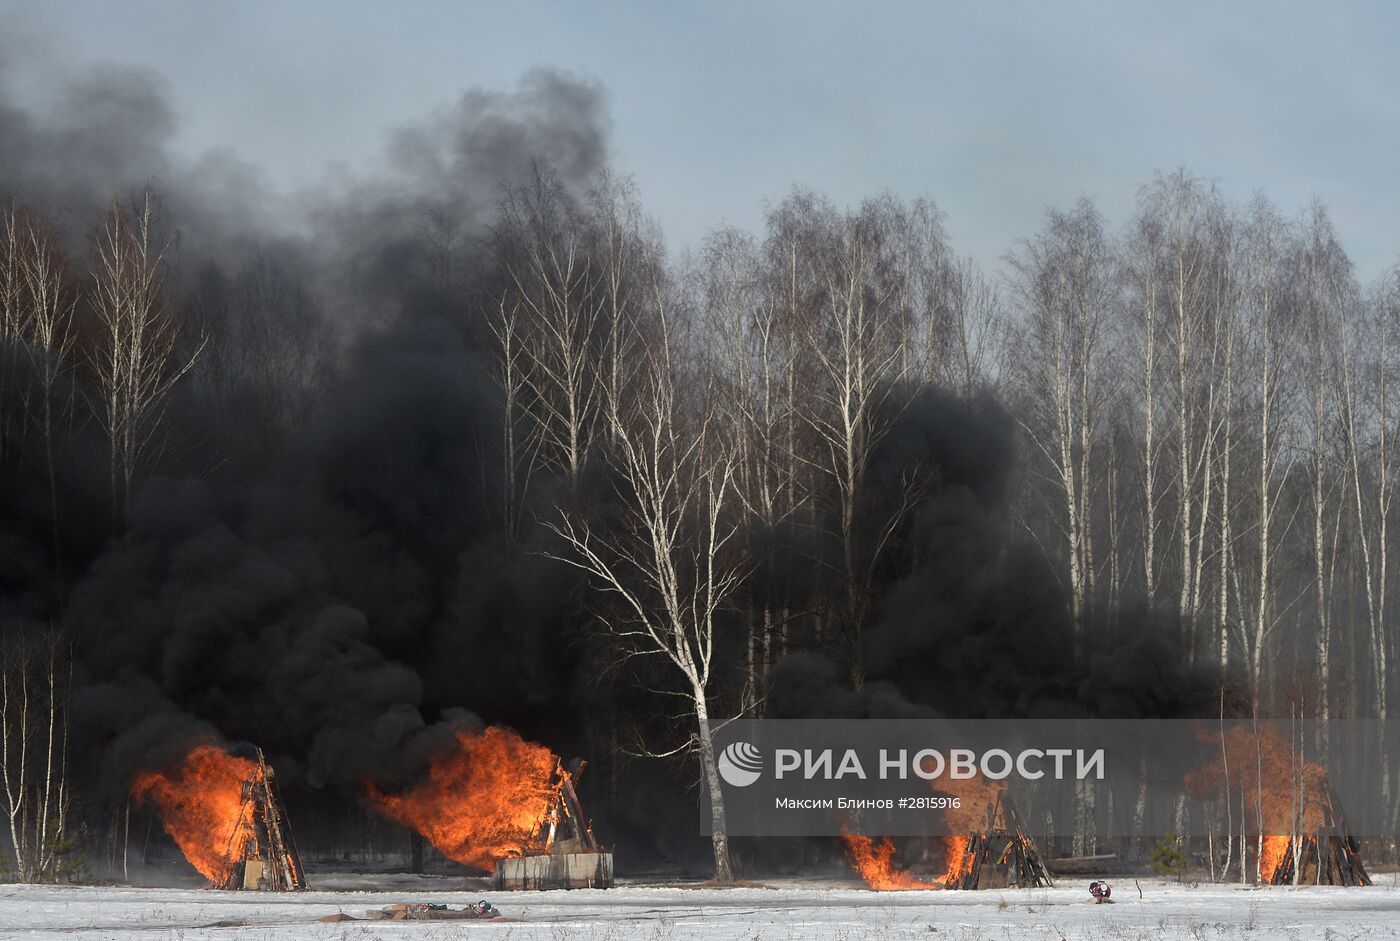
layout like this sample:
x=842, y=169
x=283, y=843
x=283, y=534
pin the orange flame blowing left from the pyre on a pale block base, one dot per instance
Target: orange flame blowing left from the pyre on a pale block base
x=481, y=802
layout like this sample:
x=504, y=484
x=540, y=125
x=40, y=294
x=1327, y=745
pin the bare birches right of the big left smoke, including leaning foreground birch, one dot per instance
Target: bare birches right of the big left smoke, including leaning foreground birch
x=1203, y=403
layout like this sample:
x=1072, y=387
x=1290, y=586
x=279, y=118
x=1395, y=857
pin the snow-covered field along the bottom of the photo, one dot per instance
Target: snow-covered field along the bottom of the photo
x=1167, y=912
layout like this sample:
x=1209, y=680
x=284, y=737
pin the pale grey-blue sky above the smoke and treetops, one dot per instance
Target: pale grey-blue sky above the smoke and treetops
x=993, y=110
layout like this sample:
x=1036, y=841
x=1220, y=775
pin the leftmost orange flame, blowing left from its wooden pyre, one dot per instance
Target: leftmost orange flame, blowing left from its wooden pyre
x=201, y=802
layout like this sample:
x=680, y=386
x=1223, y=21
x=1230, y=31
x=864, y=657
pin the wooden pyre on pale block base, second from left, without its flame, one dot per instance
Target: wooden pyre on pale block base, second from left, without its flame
x=563, y=853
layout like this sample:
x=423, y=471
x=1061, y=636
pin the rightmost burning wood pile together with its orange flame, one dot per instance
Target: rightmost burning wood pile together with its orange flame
x=1294, y=820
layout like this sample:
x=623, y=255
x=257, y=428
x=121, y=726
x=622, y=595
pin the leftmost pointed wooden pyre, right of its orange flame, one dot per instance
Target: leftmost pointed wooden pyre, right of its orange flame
x=261, y=848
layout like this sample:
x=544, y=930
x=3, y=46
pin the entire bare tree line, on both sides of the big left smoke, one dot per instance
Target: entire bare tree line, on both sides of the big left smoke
x=712, y=443
